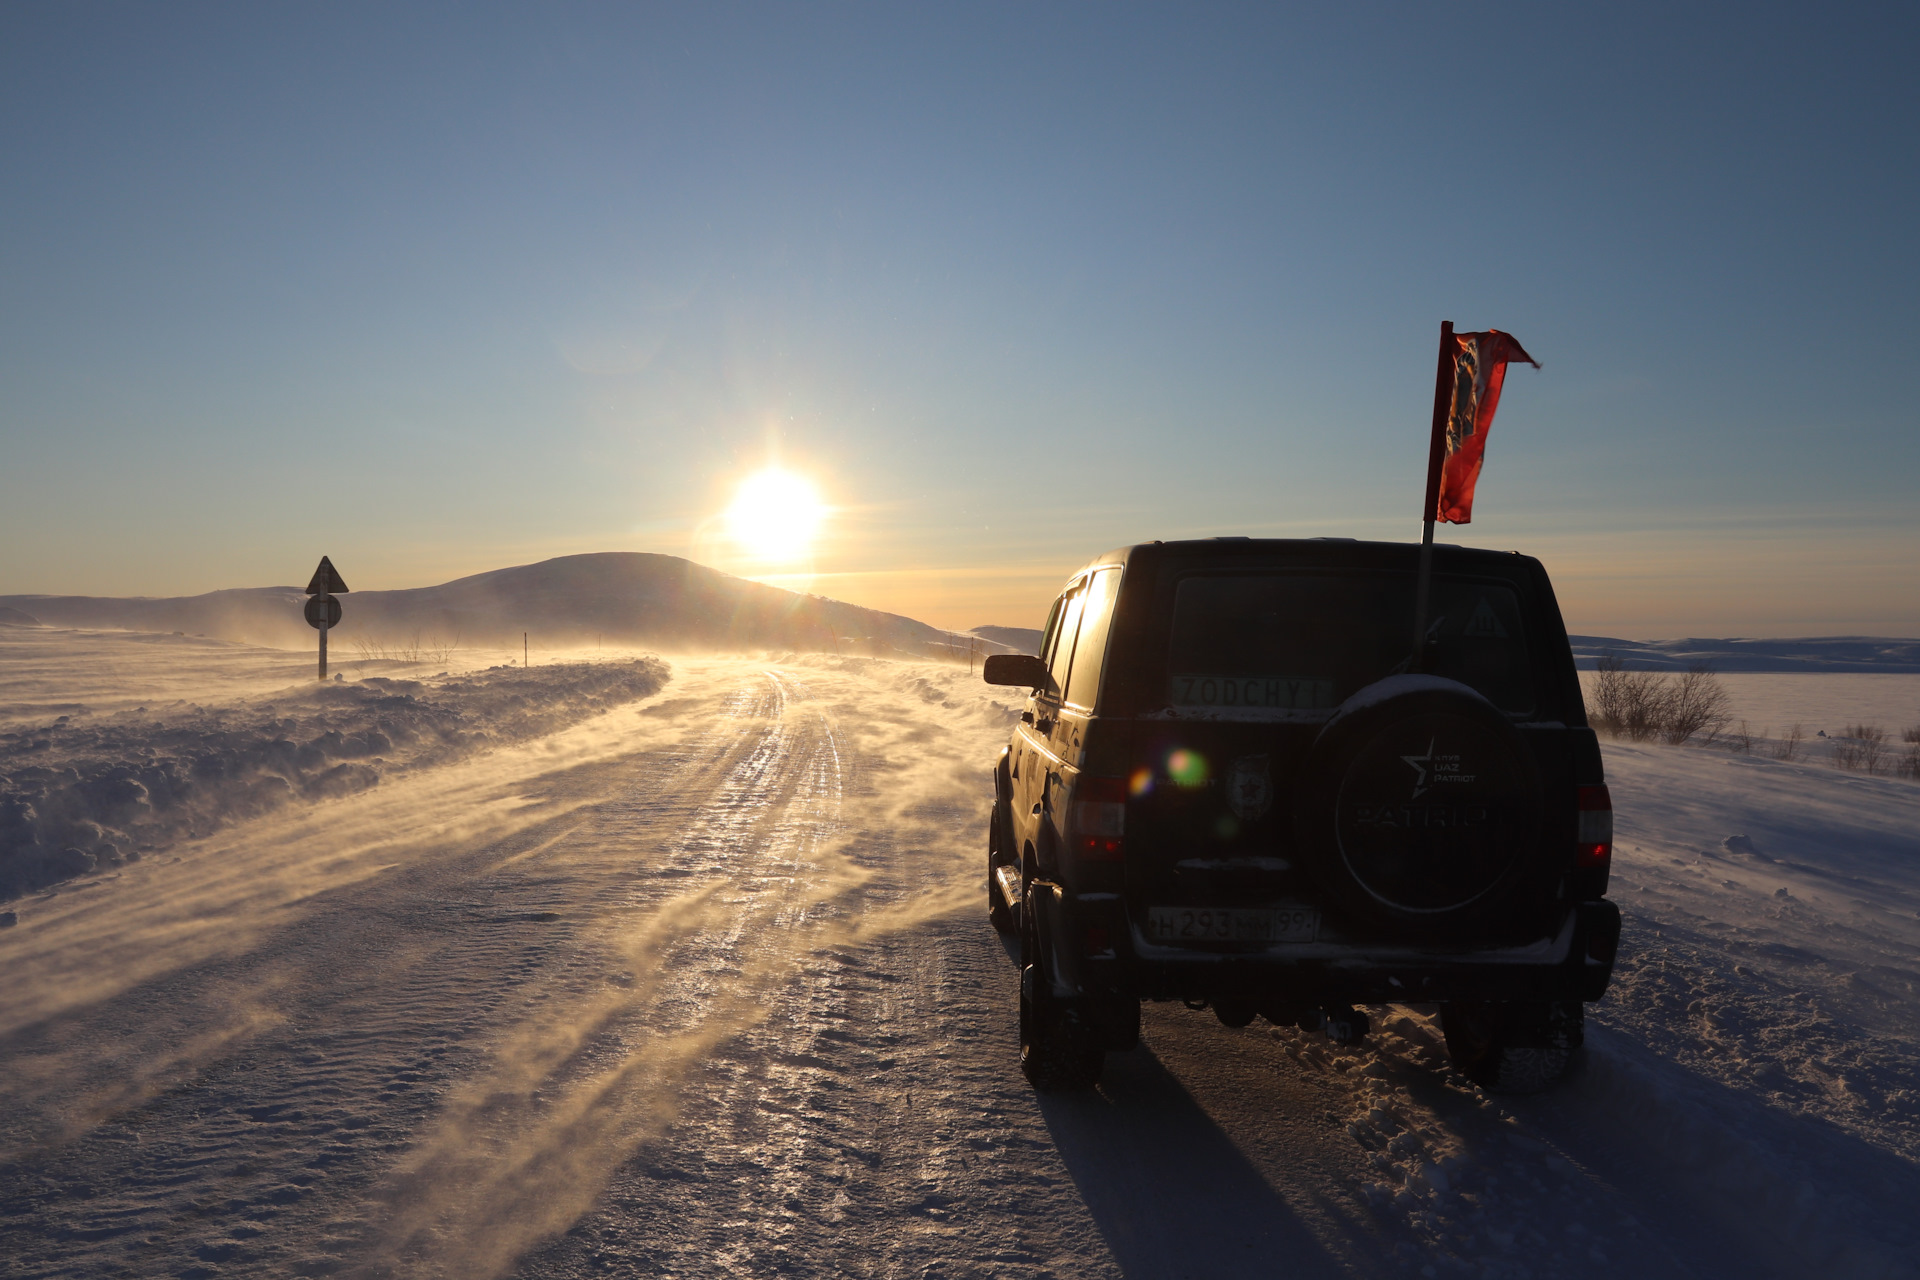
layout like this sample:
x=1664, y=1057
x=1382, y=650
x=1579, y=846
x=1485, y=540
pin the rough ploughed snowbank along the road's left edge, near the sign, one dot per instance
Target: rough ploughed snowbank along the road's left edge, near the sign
x=80, y=795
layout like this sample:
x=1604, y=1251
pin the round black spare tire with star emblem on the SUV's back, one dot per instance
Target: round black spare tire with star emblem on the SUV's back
x=1422, y=807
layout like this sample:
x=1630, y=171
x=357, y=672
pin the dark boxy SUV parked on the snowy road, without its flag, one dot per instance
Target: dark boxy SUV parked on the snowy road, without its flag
x=1236, y=784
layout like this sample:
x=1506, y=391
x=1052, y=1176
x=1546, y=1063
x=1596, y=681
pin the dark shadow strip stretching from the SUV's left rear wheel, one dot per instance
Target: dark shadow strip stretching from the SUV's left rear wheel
x=1168, y=1189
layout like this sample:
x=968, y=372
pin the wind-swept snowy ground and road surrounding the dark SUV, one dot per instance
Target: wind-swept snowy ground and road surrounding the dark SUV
x=698, y=984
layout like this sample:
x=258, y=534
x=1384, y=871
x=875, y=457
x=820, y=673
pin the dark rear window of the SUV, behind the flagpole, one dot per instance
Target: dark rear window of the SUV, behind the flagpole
x=1308, y=642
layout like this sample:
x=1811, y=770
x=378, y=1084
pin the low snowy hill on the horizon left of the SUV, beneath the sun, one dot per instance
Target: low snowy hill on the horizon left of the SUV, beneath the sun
x=612, y=598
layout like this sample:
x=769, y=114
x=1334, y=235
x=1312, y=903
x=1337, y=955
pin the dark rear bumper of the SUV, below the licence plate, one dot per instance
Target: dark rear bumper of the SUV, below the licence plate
x=1575, y=964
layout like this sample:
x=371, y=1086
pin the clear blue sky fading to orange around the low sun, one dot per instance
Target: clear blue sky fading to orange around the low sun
x=448, y=289
